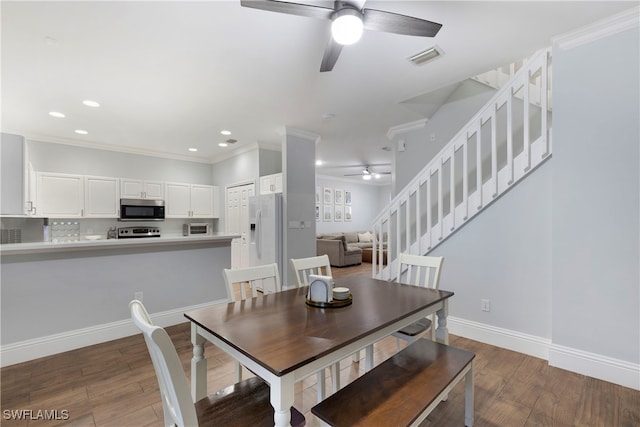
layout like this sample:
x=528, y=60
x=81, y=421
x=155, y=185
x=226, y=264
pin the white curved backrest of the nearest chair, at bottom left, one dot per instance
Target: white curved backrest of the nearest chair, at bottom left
x=174, y=389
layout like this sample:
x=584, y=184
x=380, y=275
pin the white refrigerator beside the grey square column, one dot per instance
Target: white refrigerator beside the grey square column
x=265, y=220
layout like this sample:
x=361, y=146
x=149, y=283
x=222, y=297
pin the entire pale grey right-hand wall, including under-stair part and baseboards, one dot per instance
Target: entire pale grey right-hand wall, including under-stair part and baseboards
x=559, y=254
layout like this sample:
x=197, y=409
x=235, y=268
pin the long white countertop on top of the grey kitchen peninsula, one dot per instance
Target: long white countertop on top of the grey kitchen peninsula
x=43, y=247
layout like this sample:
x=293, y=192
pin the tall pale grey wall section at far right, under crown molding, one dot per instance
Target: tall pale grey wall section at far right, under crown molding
x=596, y=193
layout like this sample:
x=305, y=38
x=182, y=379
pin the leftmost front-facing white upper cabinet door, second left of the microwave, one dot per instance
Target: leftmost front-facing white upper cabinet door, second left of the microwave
x=59, y=195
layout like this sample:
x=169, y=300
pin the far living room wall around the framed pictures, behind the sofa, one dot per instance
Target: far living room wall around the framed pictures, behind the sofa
x=367, y=201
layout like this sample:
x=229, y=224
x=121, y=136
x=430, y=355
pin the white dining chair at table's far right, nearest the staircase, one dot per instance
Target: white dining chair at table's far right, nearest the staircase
x=424, y=271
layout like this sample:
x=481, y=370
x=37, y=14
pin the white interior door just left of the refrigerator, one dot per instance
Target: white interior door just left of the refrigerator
x=237, y=222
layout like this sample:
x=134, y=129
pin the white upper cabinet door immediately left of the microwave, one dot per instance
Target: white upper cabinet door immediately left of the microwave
x=101, y=197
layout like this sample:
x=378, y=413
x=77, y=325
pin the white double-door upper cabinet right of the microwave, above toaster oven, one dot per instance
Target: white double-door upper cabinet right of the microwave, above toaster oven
x=191, y=201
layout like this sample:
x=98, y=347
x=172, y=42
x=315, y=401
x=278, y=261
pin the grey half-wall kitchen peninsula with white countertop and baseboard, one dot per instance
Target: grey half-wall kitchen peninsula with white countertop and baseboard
x=57, y=297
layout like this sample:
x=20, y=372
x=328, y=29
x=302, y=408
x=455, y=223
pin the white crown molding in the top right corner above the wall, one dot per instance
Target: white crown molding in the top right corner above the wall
x=606, y=27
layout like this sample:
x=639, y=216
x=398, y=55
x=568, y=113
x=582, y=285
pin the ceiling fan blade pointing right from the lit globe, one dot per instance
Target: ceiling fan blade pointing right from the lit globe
x=389, y=22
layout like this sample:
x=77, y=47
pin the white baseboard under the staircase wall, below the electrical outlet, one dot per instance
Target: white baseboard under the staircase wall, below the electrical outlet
x=500, y=337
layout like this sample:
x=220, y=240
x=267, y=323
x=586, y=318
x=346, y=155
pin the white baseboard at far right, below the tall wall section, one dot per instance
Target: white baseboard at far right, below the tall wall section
x=595, y=365
